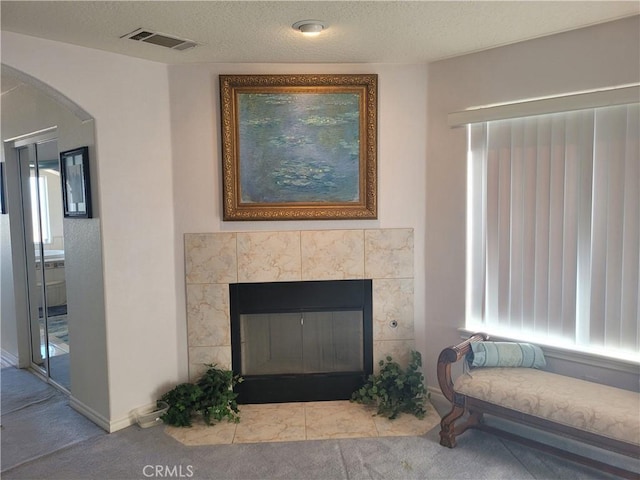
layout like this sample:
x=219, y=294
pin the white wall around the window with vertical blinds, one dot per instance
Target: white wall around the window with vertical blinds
x=599, y=56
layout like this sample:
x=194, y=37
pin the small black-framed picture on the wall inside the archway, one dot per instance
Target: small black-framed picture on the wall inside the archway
x=76, y=187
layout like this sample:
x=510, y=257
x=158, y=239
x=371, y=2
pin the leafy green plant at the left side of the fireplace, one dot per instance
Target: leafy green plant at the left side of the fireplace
x=212, y=396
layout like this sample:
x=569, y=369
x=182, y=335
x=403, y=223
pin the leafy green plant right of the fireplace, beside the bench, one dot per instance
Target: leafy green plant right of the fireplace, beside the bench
x=394, y=389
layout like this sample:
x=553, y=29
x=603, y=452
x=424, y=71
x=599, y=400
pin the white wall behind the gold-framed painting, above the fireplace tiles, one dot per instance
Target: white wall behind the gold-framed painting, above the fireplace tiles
x=195, y=120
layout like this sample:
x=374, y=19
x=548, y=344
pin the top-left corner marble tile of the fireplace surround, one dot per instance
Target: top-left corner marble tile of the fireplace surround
x=210, y=258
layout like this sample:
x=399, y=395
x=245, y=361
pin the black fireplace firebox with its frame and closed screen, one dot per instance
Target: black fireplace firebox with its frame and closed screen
x=301, y=341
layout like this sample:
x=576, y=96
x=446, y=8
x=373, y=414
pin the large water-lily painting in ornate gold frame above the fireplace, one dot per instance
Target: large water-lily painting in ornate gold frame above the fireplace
x=299, y=147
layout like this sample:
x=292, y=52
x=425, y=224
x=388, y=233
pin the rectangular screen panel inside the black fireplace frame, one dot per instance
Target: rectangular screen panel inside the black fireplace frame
x=300, y=343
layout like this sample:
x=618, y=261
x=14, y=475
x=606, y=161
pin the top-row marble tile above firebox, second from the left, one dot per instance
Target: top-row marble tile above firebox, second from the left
x=269, y=256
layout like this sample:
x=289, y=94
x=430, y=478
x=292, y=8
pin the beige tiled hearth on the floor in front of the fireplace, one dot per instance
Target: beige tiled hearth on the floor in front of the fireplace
x=288, y=422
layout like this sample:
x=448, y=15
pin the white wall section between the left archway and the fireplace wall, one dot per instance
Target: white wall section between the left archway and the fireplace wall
x=129, y=101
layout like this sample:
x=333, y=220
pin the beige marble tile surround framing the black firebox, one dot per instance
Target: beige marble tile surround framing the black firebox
x=215, y=260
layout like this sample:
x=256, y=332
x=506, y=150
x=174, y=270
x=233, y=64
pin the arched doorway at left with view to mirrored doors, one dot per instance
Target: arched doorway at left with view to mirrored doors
x=36, y=242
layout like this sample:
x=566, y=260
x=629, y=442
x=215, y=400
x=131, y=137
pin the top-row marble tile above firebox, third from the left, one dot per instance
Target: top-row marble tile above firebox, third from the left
x=332, y=254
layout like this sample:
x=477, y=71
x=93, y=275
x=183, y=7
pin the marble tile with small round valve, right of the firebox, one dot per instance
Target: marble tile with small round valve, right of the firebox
x=393, y=302
